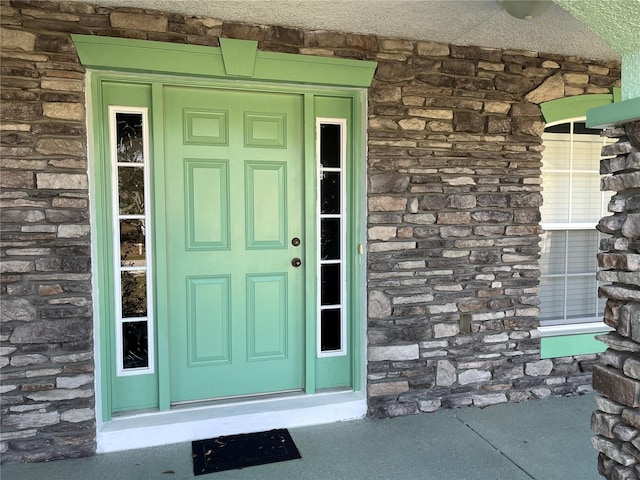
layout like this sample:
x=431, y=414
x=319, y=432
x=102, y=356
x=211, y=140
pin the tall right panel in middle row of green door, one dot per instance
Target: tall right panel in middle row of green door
x=266, y=204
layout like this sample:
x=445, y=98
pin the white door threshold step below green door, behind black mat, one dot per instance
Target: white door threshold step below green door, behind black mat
x=190, y=422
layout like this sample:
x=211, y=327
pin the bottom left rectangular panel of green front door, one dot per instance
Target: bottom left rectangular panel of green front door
x=208, y=320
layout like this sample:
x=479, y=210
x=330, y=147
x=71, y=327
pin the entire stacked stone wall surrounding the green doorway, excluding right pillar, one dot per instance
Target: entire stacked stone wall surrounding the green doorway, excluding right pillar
x=454, y=189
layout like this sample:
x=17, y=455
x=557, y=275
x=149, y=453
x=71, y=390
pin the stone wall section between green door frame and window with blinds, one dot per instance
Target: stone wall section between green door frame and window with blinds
x=454, y=196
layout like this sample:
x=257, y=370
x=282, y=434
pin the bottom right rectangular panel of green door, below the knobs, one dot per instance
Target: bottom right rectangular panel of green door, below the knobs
x=267, y=319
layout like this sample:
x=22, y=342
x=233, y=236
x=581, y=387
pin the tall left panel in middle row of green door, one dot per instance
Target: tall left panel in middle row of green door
x=207, y=204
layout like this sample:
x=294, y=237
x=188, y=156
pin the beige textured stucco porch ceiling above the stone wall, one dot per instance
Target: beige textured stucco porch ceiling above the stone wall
x=460, y=22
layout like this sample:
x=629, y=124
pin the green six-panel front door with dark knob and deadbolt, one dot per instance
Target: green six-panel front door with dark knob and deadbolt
x=234, y=204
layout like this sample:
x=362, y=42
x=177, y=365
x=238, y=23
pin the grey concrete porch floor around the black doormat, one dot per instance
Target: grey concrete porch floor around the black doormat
x=539, y=439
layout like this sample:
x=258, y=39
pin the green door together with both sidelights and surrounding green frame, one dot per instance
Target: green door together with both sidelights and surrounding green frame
x=233, y=274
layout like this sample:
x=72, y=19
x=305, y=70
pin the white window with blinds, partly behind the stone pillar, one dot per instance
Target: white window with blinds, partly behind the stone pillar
x=573, y=204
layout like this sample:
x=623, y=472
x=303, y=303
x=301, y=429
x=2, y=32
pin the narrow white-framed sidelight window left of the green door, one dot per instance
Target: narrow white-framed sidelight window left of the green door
x=132, y=266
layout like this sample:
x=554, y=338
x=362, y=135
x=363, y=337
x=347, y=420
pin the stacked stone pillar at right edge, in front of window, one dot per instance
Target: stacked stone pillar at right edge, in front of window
x=617, y=374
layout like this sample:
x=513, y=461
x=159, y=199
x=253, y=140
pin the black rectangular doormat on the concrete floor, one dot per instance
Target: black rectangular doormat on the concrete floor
x=232, y=452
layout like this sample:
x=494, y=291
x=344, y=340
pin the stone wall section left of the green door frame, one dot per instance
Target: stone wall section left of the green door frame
x=47, y=323
